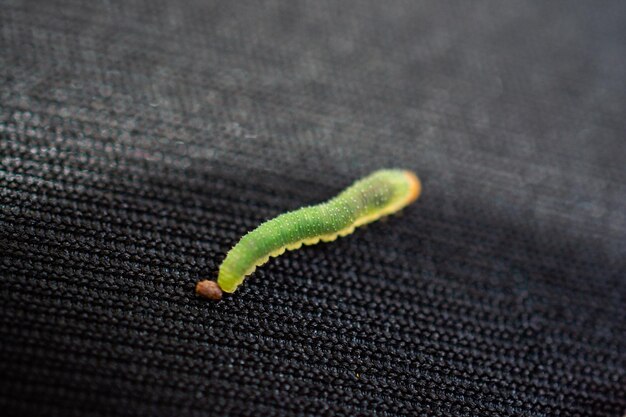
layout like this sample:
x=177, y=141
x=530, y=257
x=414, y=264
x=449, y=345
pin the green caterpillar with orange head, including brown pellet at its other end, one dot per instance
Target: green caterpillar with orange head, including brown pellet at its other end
x=379, y=194
